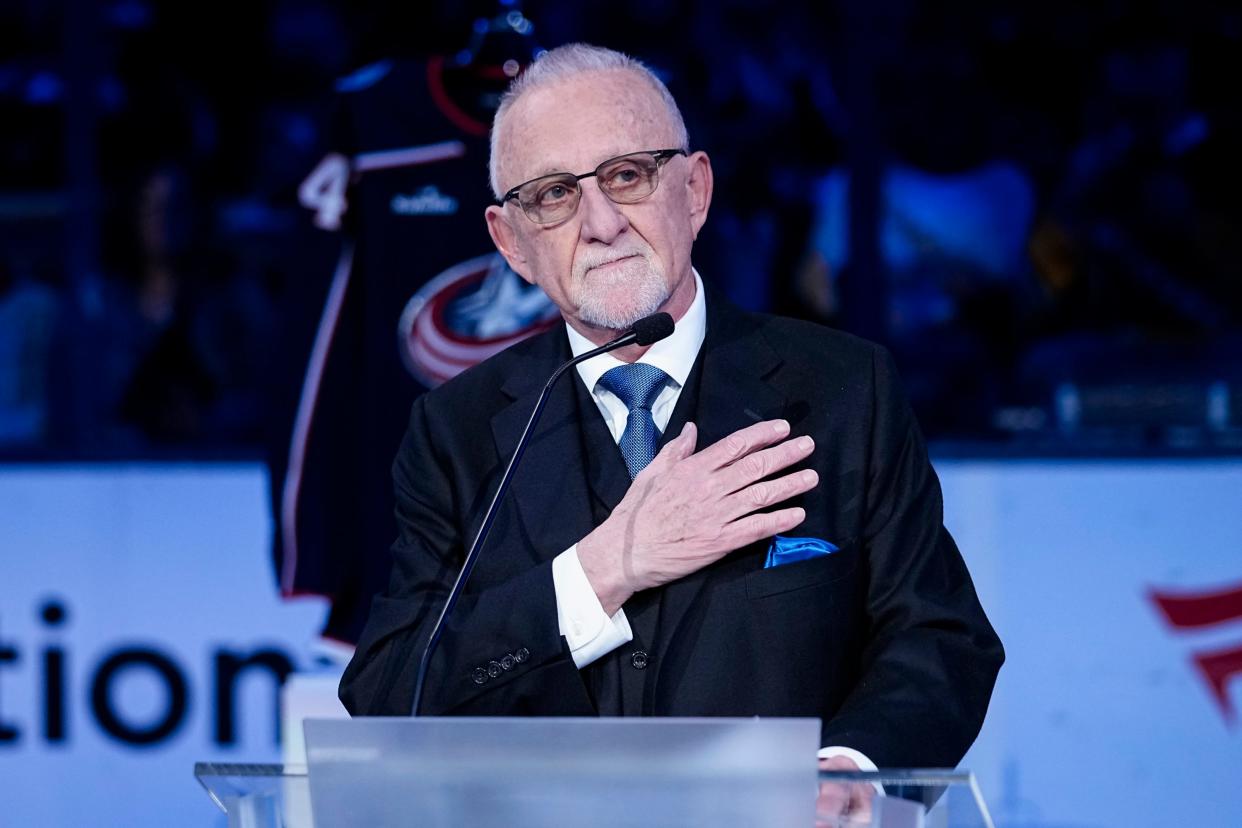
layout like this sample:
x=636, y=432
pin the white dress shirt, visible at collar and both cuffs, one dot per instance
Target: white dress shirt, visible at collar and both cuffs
x=588, y=630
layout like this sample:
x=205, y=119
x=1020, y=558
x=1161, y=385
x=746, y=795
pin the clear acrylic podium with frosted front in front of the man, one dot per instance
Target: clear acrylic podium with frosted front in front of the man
x=604, y=773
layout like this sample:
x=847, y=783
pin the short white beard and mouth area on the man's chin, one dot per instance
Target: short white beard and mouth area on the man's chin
x=619, y=296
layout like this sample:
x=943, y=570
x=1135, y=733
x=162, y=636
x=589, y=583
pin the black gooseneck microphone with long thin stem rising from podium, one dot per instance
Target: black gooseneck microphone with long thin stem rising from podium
x=645, y=332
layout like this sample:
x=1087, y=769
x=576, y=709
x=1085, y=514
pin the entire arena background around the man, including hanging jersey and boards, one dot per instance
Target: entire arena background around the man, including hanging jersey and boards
x=239, y=239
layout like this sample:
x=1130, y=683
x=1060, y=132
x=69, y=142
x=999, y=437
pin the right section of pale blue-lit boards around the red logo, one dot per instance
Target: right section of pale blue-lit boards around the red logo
x=1102, y=717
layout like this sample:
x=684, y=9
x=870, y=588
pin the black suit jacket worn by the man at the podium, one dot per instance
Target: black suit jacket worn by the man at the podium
x=884, y=640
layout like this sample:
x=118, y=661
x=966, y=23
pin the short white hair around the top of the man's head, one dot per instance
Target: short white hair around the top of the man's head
x=566, y=63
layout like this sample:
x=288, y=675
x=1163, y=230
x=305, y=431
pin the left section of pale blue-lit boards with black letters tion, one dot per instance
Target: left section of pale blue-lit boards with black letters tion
x=141, y=631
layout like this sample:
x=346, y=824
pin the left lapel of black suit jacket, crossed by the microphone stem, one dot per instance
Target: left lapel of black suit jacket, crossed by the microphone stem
x=548, y=488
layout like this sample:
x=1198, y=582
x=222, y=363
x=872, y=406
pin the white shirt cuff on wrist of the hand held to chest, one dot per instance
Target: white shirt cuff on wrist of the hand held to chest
x=588, y=630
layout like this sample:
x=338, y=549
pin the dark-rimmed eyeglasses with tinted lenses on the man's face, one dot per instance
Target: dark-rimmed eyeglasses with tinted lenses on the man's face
x=627, y=179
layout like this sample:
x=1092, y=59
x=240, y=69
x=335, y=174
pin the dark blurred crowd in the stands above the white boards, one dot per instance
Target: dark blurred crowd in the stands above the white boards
x=1035, y=207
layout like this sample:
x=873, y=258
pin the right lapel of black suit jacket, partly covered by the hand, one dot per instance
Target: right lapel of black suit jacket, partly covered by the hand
x=733, y=392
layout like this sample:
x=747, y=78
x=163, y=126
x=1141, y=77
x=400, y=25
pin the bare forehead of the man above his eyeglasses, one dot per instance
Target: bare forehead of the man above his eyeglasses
x=573, y=126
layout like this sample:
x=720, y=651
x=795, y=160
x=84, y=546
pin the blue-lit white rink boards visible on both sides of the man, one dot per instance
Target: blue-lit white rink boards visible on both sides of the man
x=141, y=632
